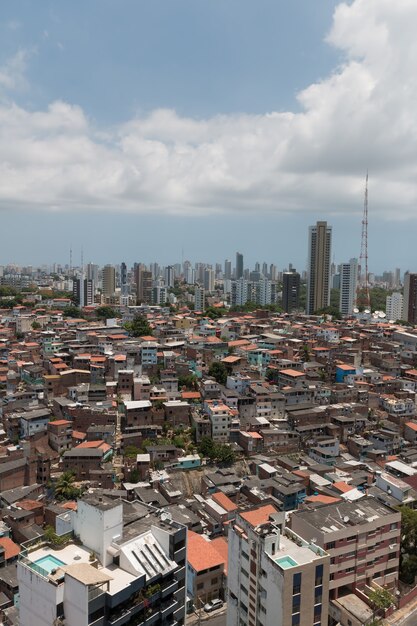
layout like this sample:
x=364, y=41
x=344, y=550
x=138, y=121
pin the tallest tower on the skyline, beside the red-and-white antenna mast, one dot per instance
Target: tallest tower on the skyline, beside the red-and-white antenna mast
x=319, y=253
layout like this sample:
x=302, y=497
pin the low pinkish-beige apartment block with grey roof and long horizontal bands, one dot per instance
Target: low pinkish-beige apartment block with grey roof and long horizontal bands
x=362, y=539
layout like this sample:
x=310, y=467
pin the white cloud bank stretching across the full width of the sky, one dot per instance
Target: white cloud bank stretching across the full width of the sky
x=361, y=116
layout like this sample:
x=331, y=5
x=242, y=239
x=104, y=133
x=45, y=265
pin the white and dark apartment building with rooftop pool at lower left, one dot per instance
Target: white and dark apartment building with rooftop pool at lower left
x=117, y=572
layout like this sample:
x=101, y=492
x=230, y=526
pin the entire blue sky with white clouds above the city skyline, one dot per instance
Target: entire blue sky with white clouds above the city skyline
x=190, y=129
